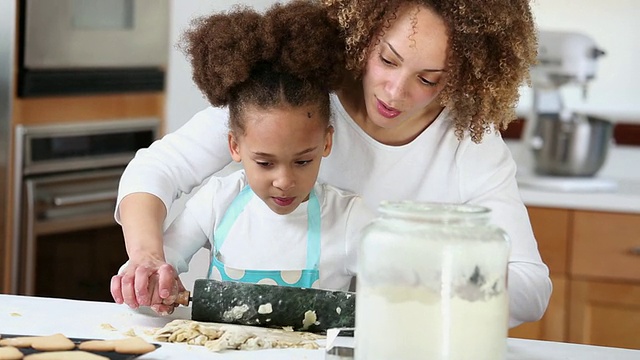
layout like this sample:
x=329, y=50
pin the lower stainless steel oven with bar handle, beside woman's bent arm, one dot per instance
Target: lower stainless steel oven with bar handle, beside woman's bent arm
x=69, y=245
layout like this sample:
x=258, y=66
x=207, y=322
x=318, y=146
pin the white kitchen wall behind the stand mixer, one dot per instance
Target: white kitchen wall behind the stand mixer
x=614, y=26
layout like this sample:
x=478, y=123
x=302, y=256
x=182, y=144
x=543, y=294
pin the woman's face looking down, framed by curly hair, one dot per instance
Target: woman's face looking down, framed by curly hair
x=405, y=70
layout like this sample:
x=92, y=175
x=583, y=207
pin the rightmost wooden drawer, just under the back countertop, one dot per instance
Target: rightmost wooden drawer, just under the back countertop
x=606, y=245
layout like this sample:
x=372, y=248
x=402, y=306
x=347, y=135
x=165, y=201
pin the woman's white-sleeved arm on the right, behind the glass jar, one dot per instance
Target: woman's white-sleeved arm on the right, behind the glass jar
x=490, y=172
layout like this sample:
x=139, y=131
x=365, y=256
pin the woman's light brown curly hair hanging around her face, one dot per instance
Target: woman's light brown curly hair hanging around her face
x=492, y=44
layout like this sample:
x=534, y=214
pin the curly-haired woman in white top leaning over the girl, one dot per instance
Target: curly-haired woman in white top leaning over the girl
x=429, y=85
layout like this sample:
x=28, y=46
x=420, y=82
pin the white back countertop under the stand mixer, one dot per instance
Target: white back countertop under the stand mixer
x=622, y=168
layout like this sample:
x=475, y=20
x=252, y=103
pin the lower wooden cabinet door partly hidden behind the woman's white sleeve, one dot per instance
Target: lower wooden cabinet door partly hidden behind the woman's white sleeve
x=552, y=326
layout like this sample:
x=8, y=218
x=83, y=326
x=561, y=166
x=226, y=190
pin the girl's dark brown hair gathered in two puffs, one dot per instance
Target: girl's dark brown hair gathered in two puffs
x=291, y=54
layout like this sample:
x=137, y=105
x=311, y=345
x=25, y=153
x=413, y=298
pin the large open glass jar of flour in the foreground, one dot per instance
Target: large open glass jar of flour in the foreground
x=432, y=284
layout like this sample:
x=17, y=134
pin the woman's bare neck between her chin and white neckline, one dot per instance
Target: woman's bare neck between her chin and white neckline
x=352, y=100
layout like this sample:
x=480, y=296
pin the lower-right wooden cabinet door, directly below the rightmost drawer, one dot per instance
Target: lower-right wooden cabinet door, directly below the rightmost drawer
x=605, y=313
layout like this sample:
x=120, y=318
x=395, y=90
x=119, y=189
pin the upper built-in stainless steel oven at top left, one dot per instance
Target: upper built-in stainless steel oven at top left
x=92, y=46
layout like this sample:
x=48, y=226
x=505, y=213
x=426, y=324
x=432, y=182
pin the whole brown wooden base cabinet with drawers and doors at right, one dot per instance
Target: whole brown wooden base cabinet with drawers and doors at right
x=595, y=268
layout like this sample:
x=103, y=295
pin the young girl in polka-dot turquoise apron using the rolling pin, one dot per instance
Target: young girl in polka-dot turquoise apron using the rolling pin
x=271, y=222
